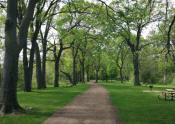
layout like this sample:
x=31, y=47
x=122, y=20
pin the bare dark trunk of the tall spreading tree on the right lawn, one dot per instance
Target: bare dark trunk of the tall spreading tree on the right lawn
x=136, y=69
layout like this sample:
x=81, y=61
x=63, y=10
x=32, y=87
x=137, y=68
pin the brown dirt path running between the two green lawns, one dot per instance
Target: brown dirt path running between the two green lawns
x=91, y=107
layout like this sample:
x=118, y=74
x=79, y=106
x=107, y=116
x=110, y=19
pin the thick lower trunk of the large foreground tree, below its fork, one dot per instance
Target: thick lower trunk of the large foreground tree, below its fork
x=8, y=100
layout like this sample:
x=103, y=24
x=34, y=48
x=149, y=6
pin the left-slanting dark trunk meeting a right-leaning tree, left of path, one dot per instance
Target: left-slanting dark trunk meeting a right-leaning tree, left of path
x=39, y=78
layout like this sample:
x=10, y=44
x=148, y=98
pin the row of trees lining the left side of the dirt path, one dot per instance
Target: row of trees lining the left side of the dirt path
x=28, y=31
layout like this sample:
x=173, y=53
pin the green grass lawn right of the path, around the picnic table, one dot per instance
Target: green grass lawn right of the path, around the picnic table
x=136, y=107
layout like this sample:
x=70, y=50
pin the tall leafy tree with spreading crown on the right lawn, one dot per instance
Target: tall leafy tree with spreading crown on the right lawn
x=133, y=17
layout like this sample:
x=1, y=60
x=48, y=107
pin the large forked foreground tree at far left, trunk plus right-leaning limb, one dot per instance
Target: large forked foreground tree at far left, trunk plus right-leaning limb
x=13, y=46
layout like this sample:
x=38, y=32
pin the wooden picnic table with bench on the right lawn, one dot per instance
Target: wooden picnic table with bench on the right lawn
x=169, y=93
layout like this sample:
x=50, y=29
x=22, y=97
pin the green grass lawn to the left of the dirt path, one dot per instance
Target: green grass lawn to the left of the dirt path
x=44, y=103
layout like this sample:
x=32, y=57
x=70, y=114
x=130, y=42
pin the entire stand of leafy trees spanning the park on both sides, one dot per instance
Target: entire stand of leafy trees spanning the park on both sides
x=85, y=40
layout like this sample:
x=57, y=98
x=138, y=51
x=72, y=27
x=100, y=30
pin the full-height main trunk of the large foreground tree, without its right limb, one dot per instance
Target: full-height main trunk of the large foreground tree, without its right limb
x=8, y=99
